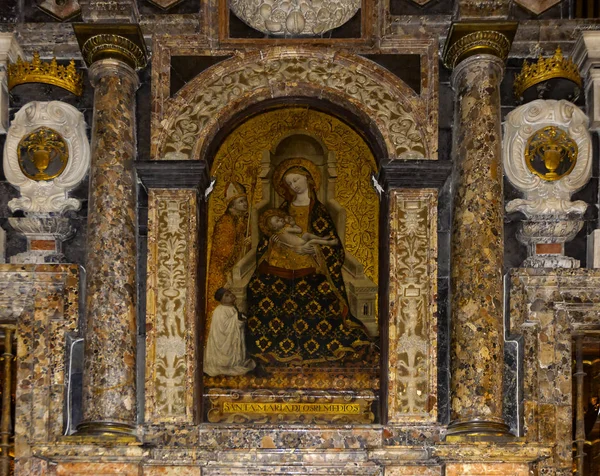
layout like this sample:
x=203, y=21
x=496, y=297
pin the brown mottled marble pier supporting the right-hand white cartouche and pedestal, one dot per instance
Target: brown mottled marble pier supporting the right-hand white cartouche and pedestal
x=546, y=308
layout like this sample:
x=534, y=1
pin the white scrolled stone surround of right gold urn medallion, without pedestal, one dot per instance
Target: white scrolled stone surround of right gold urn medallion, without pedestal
x=543, y=196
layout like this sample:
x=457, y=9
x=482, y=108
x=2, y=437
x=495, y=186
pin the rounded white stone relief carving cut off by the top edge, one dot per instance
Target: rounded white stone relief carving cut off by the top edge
x=294, y=18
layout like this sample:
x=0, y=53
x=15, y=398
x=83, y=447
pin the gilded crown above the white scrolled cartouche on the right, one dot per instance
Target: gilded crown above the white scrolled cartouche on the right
x=546, y=68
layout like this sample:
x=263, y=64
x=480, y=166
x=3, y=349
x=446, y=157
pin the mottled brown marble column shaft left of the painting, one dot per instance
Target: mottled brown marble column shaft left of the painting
x=109, y=391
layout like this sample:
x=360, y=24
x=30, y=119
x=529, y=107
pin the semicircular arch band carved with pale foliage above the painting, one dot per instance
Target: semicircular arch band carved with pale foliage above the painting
x=193, y=117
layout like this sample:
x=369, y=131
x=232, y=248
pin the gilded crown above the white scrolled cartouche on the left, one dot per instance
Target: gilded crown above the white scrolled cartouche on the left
x=38, y=71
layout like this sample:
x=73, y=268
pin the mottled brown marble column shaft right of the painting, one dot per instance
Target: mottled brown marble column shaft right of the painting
x=476, y=348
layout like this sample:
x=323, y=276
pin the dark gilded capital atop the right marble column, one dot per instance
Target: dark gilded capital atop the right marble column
x=467, y=39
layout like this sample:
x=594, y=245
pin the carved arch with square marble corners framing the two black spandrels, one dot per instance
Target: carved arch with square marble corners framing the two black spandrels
x=421, y=108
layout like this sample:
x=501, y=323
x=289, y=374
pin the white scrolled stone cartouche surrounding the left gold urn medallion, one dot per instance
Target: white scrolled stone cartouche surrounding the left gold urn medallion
x=47, y=196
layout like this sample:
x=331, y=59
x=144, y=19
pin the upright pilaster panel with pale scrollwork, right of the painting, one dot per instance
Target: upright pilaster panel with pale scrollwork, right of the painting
x=412, y=332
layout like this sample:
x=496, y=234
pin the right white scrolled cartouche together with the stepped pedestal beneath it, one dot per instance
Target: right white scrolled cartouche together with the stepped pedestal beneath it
x=552, y=218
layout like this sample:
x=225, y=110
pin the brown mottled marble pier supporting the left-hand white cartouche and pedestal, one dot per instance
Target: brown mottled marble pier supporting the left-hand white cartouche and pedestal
x=45, y=305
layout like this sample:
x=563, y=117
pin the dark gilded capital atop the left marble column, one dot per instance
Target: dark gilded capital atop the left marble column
x=120, y=42
